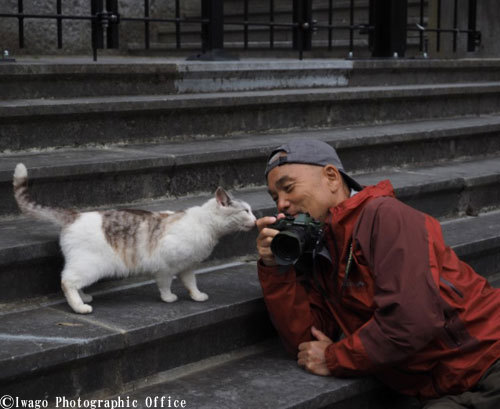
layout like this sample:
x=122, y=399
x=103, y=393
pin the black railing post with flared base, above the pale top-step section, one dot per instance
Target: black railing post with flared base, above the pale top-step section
x=212, y=32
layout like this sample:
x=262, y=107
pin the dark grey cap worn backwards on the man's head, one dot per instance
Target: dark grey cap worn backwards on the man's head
x=309, y=152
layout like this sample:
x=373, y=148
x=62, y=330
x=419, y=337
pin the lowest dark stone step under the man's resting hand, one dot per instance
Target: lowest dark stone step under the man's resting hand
x=267, y=379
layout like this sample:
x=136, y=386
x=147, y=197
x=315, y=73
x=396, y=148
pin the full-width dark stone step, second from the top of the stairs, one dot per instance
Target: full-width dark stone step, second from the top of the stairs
x=39, y=123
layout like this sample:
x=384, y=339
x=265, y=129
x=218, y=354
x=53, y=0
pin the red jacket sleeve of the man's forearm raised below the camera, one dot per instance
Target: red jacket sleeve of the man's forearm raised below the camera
x=293, y=309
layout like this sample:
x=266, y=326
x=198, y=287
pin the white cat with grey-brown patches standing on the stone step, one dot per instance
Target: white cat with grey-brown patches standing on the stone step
x=121, y=243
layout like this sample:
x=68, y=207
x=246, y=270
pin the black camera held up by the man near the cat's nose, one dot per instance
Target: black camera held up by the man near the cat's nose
x=298, y=236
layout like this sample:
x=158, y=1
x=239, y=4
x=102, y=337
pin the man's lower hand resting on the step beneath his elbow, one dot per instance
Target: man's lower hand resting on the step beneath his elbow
x=312, y=354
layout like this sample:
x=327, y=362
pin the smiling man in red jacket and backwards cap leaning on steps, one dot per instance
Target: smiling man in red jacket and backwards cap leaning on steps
x=410, y=312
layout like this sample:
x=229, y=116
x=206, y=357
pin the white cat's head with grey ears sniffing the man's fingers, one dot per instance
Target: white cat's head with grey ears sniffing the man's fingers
x=232, y=213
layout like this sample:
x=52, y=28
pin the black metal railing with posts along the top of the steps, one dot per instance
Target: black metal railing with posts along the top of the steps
x=386, y=26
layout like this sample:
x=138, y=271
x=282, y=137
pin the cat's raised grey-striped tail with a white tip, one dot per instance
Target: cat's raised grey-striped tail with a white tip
x=57, y=216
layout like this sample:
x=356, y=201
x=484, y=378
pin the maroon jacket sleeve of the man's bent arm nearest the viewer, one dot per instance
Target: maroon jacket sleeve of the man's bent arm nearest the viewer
x=393, y=240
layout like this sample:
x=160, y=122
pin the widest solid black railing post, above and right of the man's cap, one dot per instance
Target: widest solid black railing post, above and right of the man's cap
x=389, y=21
